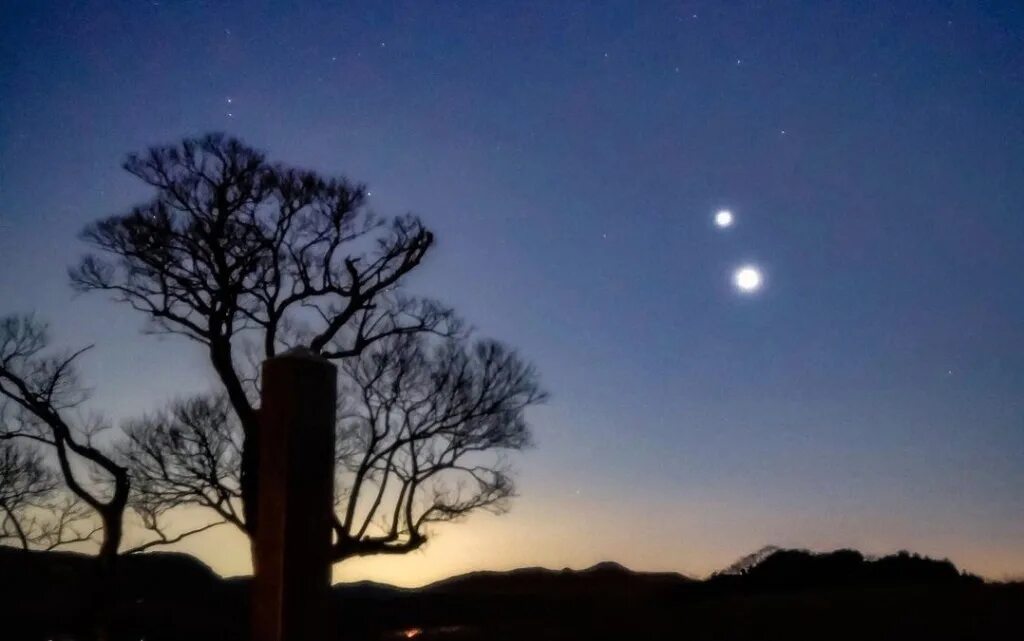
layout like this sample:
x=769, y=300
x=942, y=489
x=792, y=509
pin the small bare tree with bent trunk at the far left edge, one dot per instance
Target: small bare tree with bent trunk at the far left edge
x=41, y=396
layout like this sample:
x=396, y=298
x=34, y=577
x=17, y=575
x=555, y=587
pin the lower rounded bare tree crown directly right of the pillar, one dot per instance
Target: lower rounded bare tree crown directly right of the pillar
x=425, y=439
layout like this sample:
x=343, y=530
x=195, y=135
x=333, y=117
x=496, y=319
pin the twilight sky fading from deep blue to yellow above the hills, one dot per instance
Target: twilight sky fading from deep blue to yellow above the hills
x=571, y=158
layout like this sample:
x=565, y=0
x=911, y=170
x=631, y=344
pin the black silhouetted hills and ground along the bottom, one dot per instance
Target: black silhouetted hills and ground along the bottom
x=787, y=595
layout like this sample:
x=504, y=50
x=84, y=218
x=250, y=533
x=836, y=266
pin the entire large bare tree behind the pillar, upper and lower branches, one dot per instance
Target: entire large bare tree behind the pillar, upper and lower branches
x=249, y=259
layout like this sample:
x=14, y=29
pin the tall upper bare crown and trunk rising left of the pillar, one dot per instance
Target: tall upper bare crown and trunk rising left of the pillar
x=247, y=258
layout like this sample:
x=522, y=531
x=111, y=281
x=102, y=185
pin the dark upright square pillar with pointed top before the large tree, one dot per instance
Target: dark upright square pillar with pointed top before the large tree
x=292, y=586
